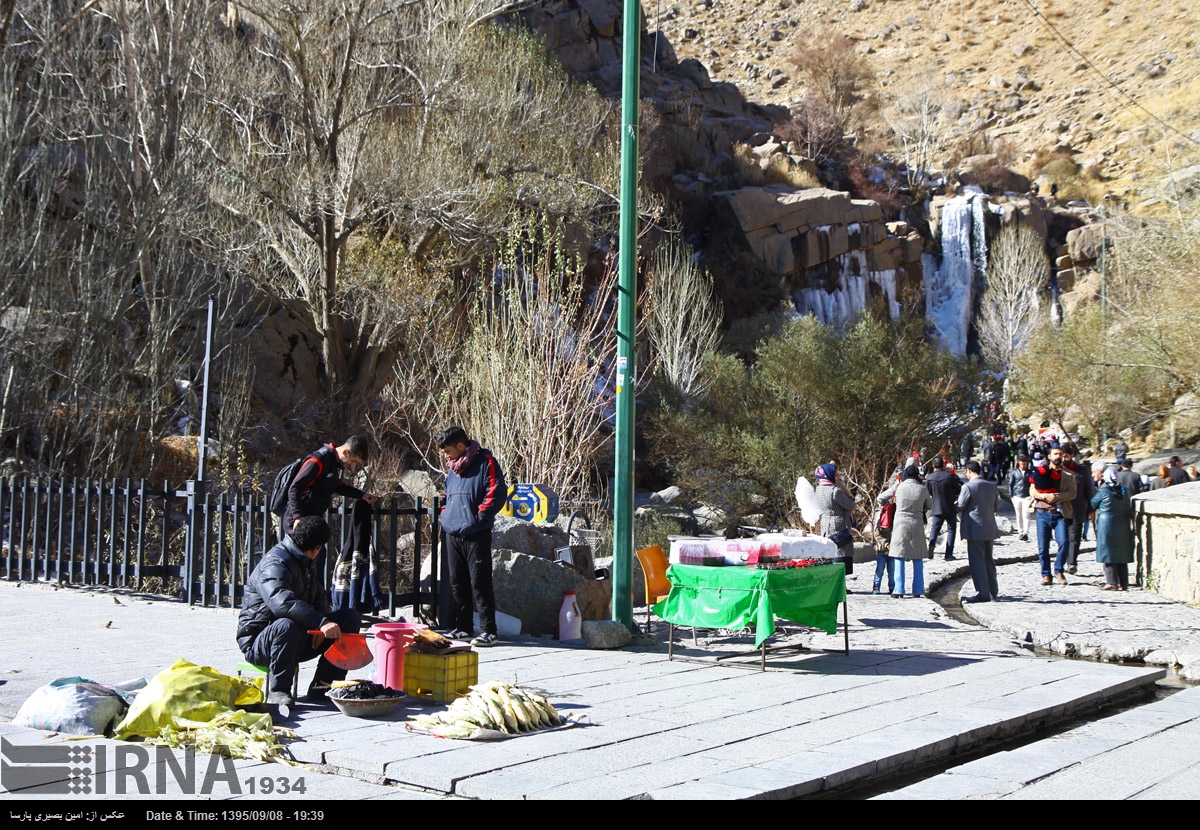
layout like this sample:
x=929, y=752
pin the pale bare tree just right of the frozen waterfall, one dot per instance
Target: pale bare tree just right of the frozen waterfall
x=1018, y=272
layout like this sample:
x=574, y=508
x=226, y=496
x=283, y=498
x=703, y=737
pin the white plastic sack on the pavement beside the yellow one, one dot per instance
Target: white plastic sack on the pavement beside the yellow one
x=75, y=707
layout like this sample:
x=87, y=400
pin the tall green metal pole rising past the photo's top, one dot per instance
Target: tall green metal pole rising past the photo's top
x=623, y=485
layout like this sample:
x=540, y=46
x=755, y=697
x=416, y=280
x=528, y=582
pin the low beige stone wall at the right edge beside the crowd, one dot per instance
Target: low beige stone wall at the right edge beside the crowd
x=1169, y=556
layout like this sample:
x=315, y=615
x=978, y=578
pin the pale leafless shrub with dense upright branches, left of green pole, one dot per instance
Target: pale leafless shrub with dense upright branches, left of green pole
x=529, y=370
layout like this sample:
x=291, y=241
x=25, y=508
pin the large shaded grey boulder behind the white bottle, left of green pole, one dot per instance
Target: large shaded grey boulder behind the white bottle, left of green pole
x=531, y=588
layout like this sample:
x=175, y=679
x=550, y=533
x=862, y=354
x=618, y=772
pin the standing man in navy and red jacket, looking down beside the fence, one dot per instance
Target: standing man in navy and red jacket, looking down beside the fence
x=476, y=492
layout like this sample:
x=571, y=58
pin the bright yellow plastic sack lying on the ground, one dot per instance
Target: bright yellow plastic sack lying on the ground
x=185, y=694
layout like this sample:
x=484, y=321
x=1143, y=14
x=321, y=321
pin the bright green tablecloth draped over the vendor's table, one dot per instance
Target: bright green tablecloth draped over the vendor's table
x=741, y=597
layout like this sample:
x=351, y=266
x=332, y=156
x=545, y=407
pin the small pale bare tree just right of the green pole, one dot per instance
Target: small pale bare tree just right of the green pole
x=683, y=316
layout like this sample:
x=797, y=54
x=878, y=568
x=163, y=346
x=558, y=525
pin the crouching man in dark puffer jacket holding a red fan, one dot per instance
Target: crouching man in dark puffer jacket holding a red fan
x=285, y=600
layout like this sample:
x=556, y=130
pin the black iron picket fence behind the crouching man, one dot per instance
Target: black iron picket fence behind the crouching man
x=191, y=544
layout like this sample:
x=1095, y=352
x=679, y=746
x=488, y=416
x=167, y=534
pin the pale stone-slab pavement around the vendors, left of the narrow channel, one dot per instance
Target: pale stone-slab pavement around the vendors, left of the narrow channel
x=917, y=689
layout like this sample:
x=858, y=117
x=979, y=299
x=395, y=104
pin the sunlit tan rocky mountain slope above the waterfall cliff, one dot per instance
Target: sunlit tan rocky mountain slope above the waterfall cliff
x=1114, y=83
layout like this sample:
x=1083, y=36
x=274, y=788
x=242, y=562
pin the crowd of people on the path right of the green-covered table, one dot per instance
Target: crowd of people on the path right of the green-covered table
x=1054, y=495
